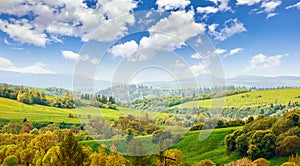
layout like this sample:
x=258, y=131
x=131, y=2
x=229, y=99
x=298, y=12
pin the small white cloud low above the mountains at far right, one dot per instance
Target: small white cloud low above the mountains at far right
x=262, y=62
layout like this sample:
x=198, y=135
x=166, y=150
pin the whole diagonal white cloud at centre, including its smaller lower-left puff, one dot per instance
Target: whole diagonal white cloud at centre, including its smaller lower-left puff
x=167, y=34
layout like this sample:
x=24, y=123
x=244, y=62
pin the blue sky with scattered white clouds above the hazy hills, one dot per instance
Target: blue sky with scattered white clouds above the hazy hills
x=250, y=37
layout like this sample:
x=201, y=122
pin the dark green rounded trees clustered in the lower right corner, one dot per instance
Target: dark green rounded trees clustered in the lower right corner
x=267, y=136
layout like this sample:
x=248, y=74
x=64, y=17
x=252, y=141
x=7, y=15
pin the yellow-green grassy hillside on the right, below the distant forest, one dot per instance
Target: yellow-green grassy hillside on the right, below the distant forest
x=251, y=99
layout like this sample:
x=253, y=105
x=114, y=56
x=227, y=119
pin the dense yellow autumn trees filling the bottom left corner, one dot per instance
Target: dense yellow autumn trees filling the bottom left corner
x=51, y=149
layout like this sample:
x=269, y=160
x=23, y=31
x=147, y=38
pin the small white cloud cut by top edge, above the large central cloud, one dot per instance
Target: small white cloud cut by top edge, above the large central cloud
x=172, y=4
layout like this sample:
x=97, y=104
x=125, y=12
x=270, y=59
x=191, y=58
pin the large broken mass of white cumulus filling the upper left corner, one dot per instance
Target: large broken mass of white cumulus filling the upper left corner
x=49, y=20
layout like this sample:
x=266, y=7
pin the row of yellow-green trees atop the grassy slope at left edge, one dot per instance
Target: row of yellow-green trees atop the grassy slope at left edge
x=36, y=96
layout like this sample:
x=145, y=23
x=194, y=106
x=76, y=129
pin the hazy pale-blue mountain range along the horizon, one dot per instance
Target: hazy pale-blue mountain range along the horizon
x=66, y=81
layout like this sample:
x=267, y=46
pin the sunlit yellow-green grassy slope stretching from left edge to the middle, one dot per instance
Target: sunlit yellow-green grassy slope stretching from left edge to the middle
x=13, y=110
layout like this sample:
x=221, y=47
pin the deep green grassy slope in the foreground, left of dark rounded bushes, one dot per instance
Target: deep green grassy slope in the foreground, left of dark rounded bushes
x=194, y=151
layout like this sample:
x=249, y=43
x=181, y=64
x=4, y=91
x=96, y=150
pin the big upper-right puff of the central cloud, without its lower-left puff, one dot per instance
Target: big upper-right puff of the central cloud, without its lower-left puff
x=169, y=34
